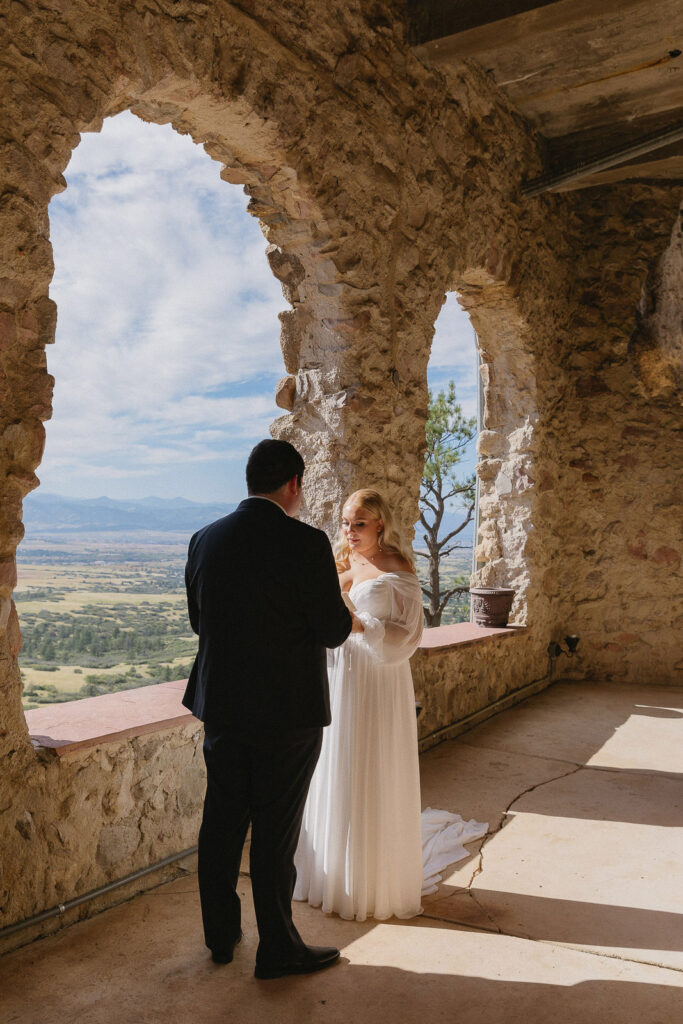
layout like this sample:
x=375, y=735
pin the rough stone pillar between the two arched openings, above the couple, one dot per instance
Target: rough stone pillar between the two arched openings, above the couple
x=355, y=345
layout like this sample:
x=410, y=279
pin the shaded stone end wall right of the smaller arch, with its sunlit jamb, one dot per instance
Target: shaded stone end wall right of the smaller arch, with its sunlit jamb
x=581, y=453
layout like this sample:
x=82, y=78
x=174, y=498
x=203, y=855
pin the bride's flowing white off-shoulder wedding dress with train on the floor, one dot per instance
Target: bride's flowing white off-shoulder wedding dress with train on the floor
x=364, y=850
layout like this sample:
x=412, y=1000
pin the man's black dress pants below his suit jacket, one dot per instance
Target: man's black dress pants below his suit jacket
x=264, y=780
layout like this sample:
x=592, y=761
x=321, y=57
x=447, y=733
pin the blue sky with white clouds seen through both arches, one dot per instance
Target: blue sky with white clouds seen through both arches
x=167, y=348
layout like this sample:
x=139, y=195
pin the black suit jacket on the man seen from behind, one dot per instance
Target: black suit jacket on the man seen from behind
x=264, y=596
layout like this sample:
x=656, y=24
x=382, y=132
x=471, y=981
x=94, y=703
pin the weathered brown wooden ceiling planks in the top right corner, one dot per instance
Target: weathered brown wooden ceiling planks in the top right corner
x=575, y=66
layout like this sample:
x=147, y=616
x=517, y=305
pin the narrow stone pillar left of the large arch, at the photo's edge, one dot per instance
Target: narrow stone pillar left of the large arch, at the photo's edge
x=27, y=324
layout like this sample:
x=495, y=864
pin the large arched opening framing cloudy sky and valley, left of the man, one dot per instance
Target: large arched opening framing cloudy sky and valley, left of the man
x=166, y=362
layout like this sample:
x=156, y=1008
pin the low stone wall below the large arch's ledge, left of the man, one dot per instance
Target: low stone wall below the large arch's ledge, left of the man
x=82, y=821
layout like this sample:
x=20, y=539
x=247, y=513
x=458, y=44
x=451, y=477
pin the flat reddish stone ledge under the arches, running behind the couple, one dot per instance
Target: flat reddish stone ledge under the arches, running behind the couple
x=81, y=726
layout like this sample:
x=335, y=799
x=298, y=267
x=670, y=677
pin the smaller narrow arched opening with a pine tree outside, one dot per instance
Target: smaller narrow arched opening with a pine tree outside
x=446, y=533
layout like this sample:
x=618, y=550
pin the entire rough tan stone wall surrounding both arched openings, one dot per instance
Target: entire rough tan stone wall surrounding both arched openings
x=380, y=187
